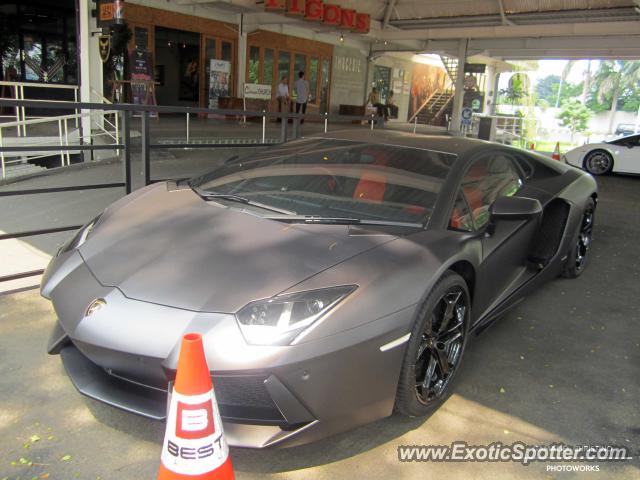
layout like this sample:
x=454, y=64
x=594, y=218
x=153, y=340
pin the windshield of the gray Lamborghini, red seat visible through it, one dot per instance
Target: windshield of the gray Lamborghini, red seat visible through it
x=337, y=179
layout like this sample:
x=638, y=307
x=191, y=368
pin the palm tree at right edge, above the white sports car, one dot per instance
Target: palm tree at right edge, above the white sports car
x=612, y=78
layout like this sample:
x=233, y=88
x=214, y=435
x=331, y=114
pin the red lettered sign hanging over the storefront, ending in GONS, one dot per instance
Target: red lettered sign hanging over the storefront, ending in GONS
x=319, y=11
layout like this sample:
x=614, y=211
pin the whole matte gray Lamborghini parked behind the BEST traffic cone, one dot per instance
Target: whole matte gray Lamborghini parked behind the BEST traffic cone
x=334, y=279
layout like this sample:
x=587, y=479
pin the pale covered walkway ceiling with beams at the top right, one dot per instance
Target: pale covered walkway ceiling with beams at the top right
x=513, y=29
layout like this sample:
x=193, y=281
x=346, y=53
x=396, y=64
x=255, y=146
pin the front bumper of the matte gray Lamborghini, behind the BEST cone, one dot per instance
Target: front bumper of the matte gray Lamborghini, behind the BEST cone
x=267, y=396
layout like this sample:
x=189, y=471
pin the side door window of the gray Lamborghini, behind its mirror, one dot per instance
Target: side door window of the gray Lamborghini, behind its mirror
x=489, y=178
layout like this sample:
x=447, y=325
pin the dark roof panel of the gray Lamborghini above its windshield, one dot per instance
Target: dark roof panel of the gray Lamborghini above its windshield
x=442, y=143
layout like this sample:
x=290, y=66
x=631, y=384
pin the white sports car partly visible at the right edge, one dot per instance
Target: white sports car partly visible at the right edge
x=620, y=155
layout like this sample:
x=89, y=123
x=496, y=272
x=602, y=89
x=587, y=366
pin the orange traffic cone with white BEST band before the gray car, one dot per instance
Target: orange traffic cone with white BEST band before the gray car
x=194, y=446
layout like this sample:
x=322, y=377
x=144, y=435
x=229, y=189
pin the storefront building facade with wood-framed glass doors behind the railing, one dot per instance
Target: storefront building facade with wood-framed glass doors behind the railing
x=180, y=42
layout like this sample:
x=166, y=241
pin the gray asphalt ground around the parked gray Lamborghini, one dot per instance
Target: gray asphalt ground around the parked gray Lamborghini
x=562, y=366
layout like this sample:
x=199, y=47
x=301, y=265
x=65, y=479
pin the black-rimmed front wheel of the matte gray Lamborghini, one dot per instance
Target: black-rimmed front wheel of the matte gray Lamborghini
x=428, y=350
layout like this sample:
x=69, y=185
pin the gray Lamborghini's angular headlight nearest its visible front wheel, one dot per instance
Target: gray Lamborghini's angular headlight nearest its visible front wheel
x=278, y=320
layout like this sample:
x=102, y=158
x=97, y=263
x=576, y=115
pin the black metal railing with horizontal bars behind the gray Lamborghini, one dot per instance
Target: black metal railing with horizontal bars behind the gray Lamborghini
x=124, y=112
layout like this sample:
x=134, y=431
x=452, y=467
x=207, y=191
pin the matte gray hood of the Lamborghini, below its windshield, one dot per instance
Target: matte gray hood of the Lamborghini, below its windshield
x=168, y=246
